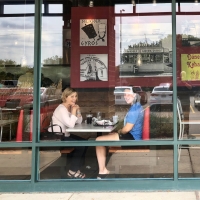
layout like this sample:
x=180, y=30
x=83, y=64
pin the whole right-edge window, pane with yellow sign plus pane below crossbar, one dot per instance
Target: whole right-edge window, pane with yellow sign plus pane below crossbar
x=188, y=86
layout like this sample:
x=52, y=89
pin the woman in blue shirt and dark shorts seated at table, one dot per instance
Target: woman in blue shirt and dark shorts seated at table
x=132, y=129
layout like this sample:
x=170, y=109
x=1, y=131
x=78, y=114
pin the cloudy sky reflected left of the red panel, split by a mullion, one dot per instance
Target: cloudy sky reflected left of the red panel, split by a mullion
x=17, y=38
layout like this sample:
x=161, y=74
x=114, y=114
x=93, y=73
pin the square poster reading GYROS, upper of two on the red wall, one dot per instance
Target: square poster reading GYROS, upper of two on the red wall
x=93, y=32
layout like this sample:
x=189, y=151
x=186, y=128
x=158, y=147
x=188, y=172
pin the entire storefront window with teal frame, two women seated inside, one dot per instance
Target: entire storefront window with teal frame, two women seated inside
x=105, y=77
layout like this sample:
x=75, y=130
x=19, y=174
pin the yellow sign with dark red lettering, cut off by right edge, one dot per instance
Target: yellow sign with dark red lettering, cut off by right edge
x=190, y=67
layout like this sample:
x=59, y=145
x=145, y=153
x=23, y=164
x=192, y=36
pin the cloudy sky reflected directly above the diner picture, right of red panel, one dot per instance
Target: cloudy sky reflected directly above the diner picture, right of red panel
x=144, y=29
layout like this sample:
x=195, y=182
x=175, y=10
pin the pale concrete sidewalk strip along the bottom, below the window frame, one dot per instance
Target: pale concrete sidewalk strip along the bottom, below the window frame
x=192, y=195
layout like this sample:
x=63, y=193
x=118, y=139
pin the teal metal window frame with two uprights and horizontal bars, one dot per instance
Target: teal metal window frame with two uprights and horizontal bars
x=128, y=184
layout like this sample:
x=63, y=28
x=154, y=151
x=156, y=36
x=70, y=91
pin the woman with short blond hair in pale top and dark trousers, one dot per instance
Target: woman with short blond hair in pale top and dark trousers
x=66, y=115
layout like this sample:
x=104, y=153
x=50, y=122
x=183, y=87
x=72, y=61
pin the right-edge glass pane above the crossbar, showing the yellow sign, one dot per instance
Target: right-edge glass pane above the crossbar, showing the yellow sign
x=188, y=38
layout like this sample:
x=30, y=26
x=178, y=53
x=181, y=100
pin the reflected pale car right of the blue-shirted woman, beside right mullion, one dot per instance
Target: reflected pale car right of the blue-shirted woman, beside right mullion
x=161, y=94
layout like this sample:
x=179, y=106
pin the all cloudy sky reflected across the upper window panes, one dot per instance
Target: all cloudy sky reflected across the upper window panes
x=17, y=33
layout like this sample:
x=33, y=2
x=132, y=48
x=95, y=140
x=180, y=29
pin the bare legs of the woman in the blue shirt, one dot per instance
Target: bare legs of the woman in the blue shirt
x=101, y=152
